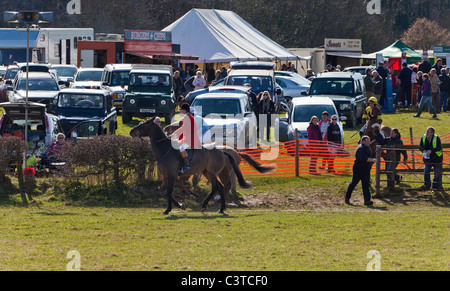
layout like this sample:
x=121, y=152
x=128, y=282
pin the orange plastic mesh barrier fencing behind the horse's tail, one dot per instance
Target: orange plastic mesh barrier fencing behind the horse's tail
x=298, y=158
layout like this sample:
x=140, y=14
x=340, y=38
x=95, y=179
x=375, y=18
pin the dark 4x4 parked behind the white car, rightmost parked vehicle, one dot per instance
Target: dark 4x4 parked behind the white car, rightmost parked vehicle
x=347, y=91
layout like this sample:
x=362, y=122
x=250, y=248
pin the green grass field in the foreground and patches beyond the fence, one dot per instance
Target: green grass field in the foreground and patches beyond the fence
x=282, y=224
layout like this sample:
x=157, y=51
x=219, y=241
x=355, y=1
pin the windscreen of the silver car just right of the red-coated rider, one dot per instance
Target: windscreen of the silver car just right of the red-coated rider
x=217, y=106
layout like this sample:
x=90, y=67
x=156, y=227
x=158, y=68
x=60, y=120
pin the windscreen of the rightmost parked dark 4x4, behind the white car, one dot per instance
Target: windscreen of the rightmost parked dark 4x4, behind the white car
x=332, y=86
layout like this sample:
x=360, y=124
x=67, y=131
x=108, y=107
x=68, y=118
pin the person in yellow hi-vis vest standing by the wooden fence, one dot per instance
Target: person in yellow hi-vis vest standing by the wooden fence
x=433, y=157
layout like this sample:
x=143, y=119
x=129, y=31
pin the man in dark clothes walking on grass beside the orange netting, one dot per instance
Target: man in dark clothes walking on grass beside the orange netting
x=361, y=171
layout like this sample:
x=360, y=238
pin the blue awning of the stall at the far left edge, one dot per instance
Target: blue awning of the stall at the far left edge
x=17, y=39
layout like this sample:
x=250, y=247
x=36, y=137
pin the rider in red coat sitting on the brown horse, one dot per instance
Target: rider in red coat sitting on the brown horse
x=187, y=136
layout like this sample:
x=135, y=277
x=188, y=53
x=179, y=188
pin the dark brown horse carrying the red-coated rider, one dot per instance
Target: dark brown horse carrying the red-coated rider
x=210, y=162
